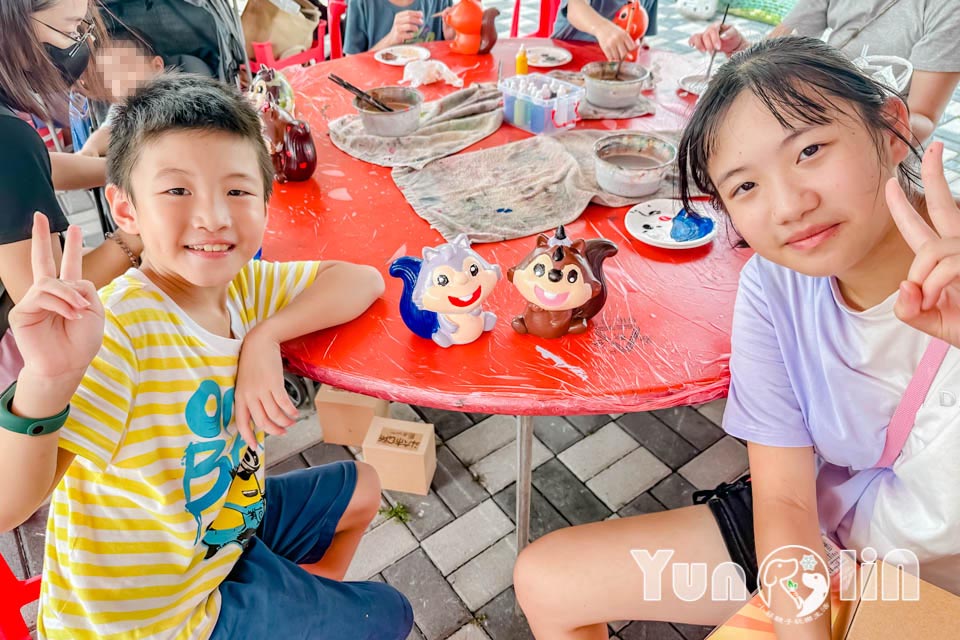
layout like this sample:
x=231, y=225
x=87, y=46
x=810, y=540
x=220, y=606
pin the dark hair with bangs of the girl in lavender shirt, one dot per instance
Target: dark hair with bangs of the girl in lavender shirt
x=797, y=79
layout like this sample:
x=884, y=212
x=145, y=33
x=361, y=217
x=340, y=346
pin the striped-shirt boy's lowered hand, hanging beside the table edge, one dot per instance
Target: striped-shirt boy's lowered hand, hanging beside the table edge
x=260, y=399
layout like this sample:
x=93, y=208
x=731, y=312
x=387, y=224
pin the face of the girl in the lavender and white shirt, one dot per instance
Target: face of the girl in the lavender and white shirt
x=811, y=198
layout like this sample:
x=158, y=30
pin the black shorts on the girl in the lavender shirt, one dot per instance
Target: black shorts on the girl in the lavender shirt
x=732, y=506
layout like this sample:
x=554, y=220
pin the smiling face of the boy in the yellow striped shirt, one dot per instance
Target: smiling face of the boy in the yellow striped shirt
x=198, y=206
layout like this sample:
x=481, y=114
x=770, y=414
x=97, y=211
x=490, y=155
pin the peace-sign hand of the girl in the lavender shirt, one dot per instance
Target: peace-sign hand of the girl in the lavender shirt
x=930, y=297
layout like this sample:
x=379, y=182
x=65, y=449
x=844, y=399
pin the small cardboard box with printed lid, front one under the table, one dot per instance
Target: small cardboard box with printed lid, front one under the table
x=403, y=453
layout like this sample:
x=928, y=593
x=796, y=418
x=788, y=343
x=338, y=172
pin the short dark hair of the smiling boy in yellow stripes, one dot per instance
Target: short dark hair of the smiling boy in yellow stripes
x=182, y=102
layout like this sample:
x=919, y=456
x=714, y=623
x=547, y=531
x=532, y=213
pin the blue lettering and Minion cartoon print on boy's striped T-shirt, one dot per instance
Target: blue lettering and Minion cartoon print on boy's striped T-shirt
x=217, y=457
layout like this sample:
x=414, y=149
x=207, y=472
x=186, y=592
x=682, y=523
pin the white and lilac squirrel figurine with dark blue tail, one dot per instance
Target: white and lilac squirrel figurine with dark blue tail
x=443, y=293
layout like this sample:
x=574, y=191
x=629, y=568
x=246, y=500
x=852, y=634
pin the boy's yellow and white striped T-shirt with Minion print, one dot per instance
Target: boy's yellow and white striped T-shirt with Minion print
x=125, y=555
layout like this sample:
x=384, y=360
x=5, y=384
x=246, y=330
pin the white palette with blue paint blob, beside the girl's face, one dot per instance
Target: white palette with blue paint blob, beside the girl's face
x=666, y=224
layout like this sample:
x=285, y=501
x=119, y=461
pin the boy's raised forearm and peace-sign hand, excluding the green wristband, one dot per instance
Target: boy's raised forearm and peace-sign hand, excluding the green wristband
x=58, y=326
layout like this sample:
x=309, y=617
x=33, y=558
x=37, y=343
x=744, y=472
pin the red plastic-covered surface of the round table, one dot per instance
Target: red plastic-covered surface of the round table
x=663, y=338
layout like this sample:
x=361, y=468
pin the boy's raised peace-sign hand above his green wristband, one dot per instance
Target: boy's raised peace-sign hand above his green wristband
x=58, y=325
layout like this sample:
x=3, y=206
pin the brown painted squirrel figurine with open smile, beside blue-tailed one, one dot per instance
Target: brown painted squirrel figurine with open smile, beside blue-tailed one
x=563, y=283
